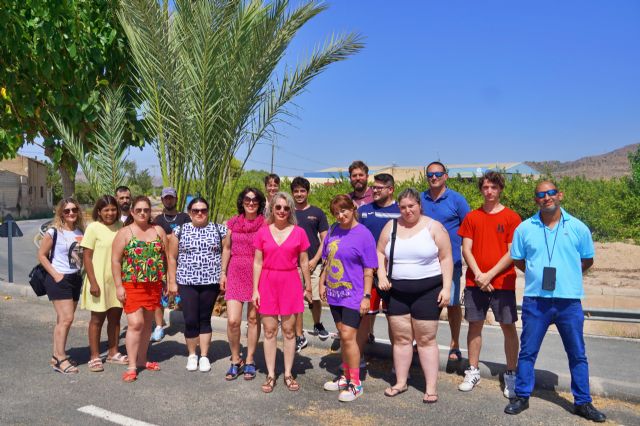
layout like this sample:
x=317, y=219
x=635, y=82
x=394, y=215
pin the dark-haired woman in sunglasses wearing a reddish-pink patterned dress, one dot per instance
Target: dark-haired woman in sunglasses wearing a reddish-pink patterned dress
x=237, y=279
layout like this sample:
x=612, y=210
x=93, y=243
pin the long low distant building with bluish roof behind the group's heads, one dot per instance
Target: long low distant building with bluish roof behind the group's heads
x=404, y=173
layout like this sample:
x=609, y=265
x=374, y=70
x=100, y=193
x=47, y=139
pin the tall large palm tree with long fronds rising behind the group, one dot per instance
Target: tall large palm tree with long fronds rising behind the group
x=211, y=81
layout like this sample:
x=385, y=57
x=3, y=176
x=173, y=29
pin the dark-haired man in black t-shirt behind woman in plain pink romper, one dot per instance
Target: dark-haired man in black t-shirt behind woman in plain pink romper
x=314, y=222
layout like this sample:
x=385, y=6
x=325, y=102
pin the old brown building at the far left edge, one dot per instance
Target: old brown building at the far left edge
x=23, y=188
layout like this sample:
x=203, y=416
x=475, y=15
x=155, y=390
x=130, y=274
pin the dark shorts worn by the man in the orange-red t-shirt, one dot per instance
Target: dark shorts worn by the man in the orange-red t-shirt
x=501, y=302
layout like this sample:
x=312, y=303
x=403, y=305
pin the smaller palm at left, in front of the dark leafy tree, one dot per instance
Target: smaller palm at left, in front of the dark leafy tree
x=103, y=163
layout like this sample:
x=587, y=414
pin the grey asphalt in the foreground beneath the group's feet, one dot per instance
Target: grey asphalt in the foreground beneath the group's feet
x=31, y=393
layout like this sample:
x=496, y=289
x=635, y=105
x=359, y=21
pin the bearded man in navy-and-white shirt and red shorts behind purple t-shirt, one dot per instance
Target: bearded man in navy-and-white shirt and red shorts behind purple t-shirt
x=375, y=216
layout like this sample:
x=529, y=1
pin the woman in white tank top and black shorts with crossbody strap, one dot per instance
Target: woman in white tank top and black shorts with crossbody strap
x=419, y=285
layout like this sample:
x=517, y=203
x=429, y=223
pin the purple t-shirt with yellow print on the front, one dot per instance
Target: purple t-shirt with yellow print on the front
x=348, y=252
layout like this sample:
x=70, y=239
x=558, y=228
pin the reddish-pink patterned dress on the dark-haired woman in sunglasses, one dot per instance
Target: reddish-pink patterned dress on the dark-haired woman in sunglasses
x=240, y=268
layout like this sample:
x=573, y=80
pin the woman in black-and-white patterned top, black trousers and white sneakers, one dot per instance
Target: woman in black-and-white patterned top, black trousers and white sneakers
x=194, y=260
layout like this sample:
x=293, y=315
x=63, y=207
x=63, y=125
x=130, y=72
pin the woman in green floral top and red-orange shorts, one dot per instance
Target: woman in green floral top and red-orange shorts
x=138, y=265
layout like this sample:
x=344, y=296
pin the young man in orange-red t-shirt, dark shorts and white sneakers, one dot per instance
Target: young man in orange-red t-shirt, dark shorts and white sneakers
x=491, y=277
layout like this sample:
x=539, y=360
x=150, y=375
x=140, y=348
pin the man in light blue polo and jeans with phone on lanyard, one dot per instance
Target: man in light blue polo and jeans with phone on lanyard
x=553, y=249
